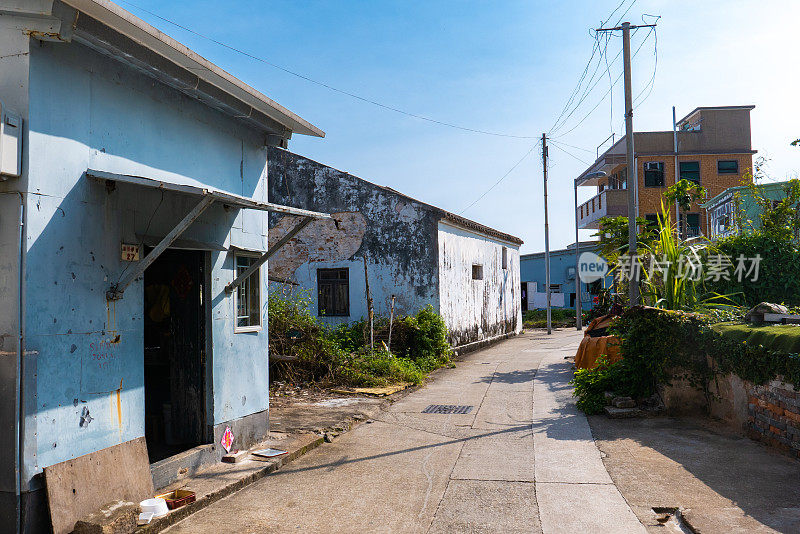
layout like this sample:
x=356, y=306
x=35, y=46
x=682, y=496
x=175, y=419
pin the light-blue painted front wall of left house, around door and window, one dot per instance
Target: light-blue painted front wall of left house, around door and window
x=87, y=111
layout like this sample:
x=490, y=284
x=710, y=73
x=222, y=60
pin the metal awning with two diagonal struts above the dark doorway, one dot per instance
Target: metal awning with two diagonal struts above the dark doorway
x=207, y=197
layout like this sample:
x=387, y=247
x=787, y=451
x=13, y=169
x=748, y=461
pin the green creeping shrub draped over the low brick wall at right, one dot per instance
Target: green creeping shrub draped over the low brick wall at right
x=658, y=346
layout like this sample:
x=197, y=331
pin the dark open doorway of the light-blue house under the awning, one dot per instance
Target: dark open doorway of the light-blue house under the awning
x=174, y=353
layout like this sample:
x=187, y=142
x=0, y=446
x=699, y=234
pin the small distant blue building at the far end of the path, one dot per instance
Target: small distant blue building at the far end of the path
x=562, y=279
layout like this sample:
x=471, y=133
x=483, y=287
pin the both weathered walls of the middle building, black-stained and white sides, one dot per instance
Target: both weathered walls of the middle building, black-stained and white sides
x=410, y=251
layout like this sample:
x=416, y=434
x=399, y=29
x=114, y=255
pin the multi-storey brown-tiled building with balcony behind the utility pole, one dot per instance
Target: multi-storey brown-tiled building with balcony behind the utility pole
x=713, y=149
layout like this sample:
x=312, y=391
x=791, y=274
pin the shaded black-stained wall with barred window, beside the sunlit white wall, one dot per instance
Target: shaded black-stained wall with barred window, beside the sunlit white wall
x=396, y=234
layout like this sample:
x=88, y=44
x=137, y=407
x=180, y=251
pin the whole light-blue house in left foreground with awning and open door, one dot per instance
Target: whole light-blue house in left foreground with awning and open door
x=137, y=196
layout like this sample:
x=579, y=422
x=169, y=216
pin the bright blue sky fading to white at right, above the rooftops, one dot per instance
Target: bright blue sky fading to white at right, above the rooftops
x=505, y=66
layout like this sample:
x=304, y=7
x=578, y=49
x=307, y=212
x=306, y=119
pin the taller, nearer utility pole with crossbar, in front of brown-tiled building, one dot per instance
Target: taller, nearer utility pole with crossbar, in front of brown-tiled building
x=632, y=180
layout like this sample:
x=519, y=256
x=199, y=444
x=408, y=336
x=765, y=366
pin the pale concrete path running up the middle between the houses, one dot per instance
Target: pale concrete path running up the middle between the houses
x=523, y=460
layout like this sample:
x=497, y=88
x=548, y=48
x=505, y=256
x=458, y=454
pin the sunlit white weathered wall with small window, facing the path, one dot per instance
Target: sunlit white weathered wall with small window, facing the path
x=477, y=309
